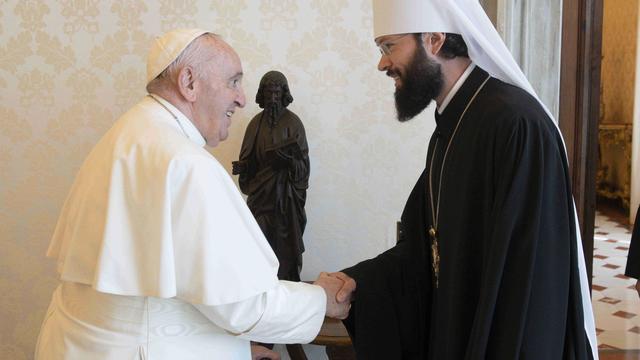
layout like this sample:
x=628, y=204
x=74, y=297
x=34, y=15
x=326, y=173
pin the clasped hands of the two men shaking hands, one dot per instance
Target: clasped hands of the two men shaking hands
x=339, y=288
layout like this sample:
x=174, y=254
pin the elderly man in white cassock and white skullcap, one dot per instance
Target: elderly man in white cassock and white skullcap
x=158, y=255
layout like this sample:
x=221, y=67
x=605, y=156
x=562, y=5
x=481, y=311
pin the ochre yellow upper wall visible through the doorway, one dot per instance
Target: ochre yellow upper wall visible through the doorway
x=619, y=40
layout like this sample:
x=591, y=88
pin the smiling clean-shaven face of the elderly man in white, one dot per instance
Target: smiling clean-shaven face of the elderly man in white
x=219, y=94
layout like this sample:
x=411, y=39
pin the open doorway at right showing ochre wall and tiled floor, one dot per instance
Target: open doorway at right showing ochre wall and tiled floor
x=616, y=303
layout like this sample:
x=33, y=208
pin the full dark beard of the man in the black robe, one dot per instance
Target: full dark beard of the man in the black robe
x=420, y=85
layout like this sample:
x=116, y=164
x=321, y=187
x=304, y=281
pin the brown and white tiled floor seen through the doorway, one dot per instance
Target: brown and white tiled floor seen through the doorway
x=615, y=301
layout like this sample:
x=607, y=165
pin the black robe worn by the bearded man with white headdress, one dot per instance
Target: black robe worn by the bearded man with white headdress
x=508, y=284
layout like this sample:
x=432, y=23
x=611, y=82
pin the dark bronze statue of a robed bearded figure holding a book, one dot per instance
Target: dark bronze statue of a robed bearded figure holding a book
x=274, y=173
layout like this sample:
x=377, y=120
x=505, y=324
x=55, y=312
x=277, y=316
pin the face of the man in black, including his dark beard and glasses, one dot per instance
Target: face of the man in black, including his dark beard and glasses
x=418, y=78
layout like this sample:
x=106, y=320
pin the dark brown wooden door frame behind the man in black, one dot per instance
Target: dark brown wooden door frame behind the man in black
x=580, y=107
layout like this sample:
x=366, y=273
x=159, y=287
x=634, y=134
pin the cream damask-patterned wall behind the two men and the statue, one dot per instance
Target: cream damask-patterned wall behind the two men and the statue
x=69, y=68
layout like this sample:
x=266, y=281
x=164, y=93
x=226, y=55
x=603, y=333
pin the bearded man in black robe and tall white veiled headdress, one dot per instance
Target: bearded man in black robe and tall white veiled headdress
x=490, y=265
